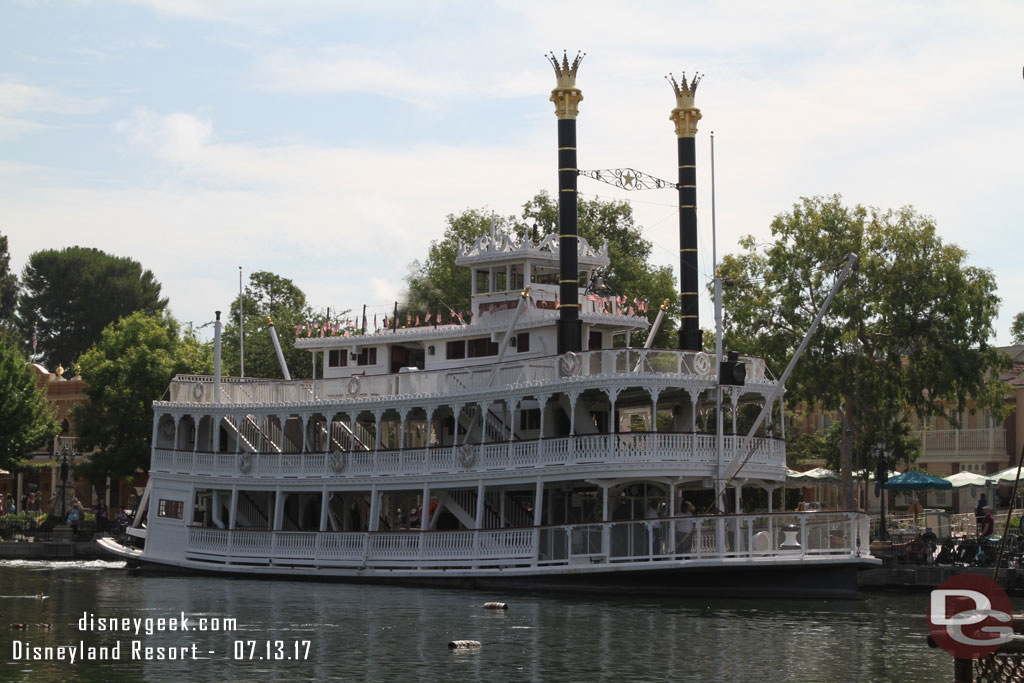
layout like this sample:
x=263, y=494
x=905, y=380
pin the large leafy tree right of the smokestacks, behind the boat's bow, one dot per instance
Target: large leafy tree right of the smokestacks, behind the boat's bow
x=908, y=335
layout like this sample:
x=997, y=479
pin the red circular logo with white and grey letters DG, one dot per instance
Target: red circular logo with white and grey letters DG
x=970, y=616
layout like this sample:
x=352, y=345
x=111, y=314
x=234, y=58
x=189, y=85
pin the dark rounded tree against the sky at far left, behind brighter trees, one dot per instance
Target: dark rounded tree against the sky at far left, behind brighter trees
x=73, y=294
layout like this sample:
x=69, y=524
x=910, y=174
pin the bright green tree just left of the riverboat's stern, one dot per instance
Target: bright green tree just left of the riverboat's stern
x=130, y=368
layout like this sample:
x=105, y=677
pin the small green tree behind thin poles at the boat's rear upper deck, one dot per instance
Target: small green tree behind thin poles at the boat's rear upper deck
x=268, y=295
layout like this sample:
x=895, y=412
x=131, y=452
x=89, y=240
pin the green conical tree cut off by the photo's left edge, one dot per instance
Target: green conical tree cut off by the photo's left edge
x=26, y=419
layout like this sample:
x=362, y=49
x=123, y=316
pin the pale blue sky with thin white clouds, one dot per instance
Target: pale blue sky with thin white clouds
x=328, y=141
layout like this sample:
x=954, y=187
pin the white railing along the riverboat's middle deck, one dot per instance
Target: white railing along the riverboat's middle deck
x=695, y=454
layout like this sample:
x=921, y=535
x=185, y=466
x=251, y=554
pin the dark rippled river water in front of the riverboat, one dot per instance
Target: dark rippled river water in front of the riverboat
x=402, y=634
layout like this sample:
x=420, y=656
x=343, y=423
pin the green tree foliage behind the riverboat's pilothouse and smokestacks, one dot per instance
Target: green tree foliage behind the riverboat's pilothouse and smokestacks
x=438, y=284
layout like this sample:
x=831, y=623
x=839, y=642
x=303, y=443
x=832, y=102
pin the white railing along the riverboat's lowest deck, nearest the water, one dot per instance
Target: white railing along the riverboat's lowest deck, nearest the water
x=779, y=536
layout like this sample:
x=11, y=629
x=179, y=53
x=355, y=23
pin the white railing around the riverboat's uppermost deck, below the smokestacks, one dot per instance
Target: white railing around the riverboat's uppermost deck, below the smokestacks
x=630, y=362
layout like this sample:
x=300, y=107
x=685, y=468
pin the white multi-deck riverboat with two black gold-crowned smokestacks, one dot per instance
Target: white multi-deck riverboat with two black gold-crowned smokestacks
x=532, y=447
